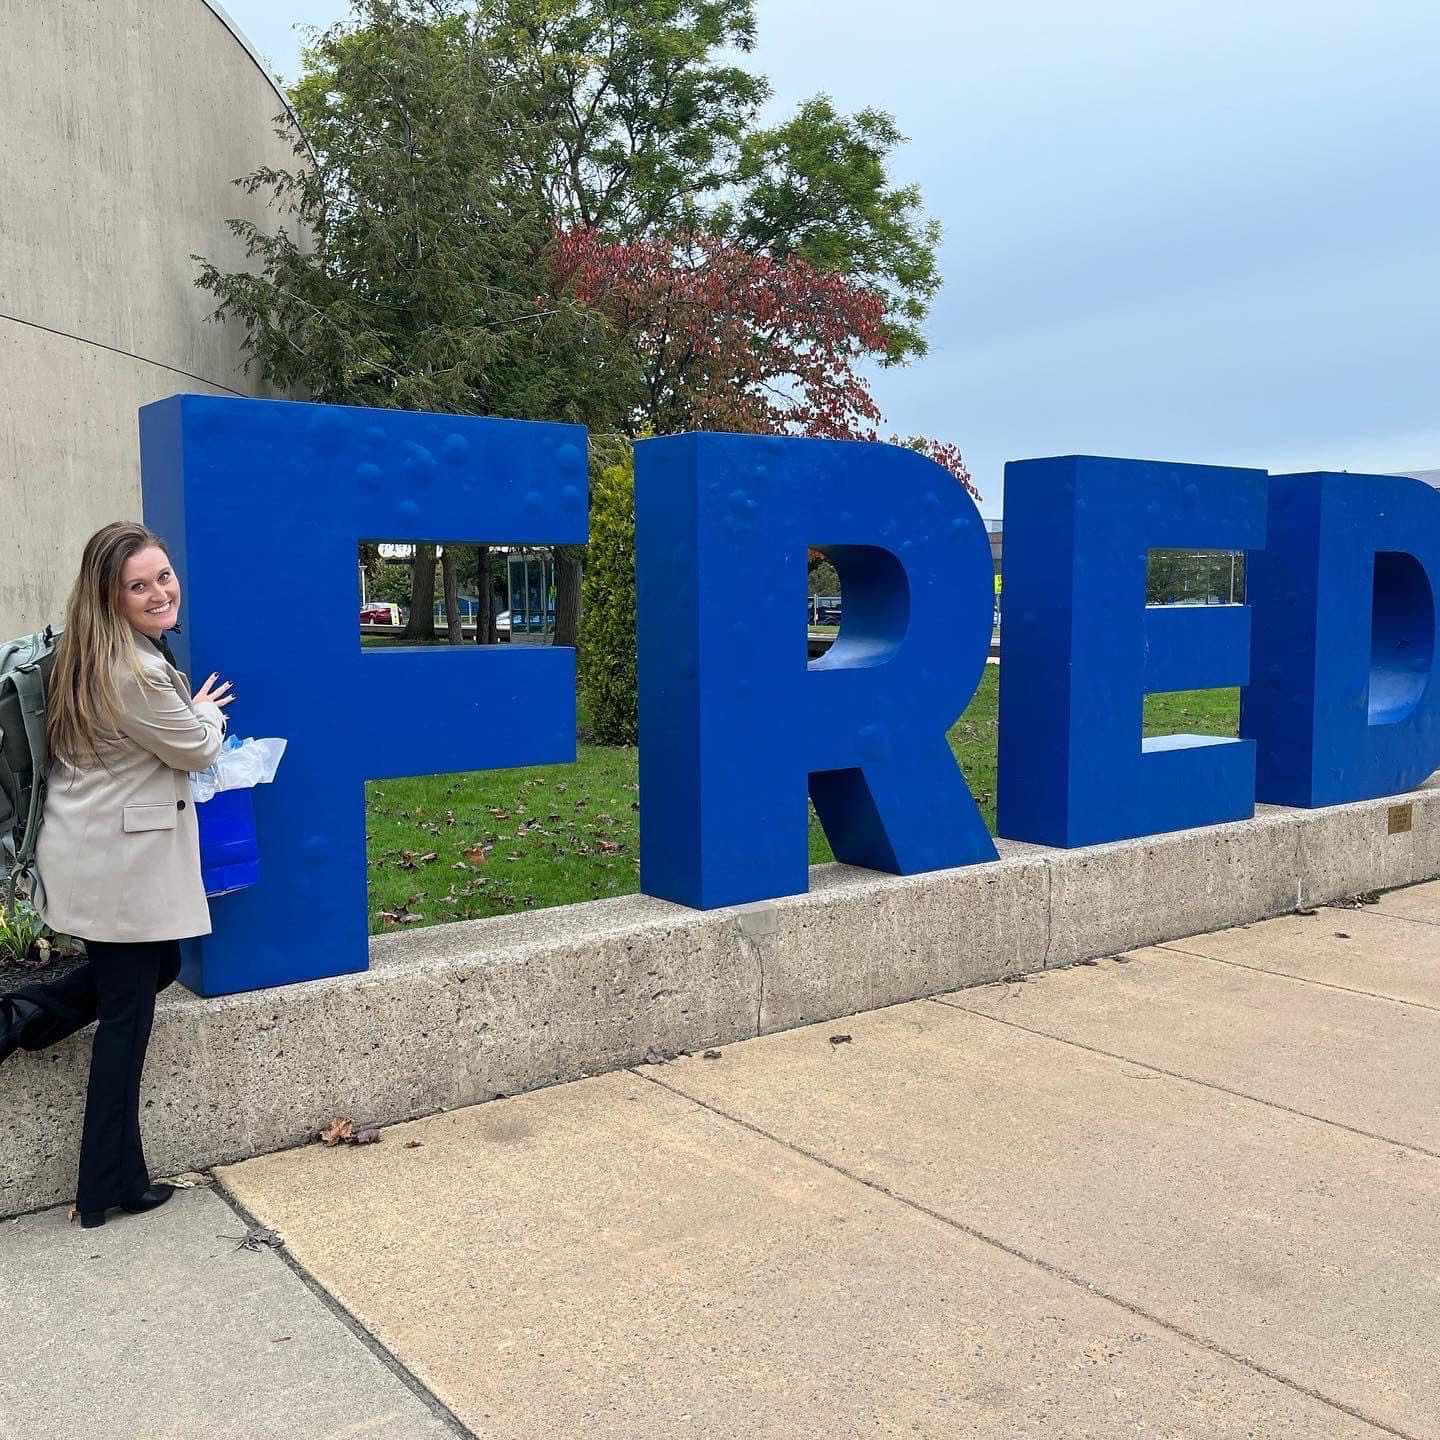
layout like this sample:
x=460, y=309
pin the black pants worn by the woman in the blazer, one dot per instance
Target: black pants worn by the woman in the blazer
x=116, y=986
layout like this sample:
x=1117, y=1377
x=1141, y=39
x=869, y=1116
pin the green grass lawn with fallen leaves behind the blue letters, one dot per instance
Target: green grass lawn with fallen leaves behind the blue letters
x=459, y=847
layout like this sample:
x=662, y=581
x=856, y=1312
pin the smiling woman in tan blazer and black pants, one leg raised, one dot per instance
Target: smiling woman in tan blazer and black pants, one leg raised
x=119, y=855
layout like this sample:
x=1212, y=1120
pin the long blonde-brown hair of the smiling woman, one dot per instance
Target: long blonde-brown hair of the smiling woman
x=83, y=709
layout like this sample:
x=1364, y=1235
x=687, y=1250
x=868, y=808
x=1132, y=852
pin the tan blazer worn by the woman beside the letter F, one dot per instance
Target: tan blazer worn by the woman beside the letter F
x=119, y=855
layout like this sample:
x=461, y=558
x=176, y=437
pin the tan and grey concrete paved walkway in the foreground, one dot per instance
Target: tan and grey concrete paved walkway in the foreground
x=1187, y=1193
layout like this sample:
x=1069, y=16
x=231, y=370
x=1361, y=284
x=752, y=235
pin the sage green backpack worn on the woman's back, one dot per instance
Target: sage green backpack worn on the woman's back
x=25, y=670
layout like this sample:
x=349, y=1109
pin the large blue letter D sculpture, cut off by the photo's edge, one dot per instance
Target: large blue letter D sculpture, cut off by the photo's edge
x=1343, y=705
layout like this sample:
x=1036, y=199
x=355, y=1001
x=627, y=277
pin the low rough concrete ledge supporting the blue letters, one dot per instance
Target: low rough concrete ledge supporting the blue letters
x=464, y=1013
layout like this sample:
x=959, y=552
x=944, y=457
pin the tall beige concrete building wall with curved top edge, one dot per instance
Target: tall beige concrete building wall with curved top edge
x=122, y=126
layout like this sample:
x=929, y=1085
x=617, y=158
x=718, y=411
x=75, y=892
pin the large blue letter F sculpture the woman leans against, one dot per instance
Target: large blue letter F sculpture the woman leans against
x=264, y=505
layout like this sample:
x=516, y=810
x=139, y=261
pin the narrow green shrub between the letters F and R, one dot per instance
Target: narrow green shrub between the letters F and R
x=607, y=650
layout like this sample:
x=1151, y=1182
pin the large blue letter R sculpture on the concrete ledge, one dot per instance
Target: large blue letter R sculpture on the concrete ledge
x=732, y=718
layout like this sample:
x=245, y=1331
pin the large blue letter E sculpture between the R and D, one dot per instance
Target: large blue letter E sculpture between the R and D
x=1081, y=650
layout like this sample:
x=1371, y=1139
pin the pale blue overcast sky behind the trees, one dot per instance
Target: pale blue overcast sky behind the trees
x=1174, y=230
